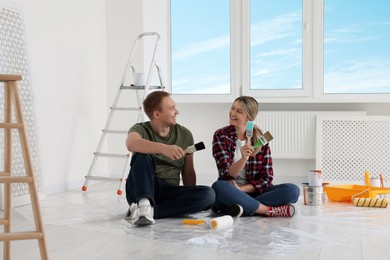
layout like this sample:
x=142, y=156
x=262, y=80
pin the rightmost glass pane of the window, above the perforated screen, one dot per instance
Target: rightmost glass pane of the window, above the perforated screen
x=356, y=59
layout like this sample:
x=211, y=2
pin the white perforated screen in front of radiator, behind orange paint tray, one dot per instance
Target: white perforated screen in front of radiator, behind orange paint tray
x=349, y=146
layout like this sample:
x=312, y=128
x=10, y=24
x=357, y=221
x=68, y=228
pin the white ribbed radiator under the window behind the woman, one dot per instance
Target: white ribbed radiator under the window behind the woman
x=294, y=132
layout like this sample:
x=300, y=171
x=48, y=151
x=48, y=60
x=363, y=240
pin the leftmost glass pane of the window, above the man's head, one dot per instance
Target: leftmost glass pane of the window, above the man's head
x=200, y=46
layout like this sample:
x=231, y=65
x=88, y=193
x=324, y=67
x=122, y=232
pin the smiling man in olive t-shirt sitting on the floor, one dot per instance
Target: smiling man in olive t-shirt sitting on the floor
x=153, y=186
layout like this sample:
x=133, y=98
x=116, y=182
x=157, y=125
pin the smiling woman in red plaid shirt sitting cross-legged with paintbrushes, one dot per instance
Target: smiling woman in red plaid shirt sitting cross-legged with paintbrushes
x=245, y=178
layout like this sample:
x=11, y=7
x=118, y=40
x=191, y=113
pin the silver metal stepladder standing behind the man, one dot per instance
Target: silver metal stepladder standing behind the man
x=141, y=92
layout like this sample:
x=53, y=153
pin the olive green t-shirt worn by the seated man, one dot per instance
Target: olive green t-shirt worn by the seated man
x=166, y=169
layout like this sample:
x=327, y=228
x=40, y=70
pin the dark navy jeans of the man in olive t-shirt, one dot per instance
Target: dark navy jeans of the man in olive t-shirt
x=167, y=199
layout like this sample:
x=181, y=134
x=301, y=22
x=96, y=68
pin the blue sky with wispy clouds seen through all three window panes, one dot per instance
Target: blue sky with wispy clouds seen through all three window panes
x=356, y=36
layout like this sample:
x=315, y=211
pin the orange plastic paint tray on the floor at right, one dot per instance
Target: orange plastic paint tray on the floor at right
x=345, y=192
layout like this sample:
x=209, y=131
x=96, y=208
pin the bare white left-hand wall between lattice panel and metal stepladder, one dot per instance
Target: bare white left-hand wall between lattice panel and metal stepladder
x=67, y=52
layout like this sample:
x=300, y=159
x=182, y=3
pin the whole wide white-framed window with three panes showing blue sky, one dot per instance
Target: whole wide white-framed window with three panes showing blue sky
x=278, y=50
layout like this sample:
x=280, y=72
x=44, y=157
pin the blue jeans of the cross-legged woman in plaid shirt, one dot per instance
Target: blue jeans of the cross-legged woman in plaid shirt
x=275, y=195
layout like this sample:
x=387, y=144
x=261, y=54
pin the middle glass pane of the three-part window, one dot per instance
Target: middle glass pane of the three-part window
x=276, y=44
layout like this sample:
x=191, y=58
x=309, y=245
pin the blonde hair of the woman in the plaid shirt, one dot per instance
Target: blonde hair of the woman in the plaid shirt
x=251, y=108
